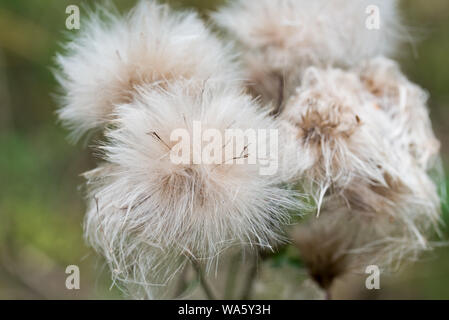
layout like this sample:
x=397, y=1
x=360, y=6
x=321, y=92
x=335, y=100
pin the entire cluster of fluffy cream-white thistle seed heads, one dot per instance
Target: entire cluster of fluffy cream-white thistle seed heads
x=354, y=134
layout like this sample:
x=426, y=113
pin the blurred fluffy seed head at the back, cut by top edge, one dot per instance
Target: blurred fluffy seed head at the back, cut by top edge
x=280, y=38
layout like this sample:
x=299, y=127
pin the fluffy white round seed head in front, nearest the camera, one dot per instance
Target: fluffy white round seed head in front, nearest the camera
x=146, y=210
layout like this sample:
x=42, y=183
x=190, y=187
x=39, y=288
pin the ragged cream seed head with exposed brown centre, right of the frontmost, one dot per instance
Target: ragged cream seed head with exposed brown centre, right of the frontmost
x=339, y=131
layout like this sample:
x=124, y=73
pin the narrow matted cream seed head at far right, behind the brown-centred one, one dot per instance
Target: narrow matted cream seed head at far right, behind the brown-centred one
x=405, y=104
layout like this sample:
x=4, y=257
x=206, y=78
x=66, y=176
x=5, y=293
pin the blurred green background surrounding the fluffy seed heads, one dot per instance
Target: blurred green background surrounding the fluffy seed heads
x=41, y=206
